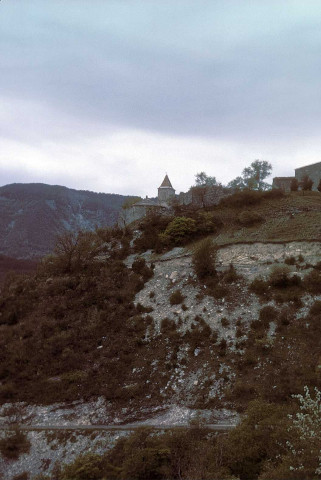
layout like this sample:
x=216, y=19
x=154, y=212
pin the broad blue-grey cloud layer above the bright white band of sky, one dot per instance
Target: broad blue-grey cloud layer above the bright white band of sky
x=264, y=84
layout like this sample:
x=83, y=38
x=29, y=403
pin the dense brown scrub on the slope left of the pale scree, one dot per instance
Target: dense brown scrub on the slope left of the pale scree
x=71, y=330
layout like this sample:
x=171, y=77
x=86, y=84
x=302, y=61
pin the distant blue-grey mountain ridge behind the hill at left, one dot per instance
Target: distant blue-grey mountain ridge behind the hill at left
x=33, y=214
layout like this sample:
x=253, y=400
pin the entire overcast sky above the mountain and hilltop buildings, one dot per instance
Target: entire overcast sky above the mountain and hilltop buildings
x=109, y=95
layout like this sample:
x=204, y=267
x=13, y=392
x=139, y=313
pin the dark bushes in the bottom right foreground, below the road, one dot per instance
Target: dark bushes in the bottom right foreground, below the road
x=272, y=442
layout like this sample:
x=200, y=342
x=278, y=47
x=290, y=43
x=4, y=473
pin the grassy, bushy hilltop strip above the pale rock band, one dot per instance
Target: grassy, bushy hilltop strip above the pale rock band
x=245, y=216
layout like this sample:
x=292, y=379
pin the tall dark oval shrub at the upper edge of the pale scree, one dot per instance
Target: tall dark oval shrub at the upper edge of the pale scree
x=204, y=258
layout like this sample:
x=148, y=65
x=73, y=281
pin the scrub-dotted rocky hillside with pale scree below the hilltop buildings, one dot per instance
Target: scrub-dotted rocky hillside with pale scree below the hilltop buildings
x=113, y=331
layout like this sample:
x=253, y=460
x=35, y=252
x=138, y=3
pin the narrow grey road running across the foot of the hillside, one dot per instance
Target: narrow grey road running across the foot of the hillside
x=129, y=427
